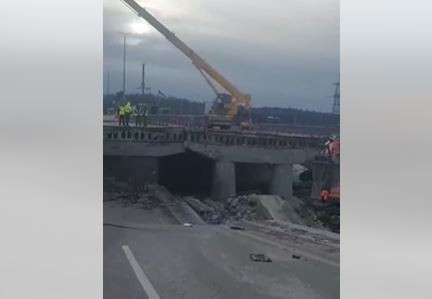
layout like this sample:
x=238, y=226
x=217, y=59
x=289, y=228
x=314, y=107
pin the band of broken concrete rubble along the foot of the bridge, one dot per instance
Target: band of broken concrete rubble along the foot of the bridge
x=232, y=212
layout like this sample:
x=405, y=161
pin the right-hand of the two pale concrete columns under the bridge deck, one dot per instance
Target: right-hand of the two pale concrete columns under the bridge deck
x=281, y=183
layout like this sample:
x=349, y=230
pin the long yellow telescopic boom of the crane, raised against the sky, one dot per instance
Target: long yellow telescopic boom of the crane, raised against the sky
x=237, y=97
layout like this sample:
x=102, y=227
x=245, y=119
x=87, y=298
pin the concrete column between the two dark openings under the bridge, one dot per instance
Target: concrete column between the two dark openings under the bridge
x=223, y=185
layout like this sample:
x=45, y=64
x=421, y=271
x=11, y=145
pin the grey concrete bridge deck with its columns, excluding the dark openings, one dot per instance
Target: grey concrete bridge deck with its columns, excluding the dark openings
x=224, y=148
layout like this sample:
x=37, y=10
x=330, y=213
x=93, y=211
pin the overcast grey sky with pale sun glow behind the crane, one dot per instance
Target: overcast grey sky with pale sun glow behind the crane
x=283, y=52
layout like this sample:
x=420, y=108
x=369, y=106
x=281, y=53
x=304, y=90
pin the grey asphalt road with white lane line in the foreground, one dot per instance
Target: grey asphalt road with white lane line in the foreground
x=173, y=261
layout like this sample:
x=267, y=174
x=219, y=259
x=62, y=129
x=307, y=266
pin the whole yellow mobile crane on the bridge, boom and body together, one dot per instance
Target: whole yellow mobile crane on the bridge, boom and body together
x=231, y=108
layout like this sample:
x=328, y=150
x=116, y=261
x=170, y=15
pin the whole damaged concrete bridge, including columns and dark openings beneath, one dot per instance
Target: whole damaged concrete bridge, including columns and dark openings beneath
x=222, y=156
